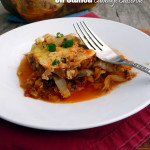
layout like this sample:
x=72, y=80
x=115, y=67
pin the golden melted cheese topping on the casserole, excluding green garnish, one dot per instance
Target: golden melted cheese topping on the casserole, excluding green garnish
x=73, y=56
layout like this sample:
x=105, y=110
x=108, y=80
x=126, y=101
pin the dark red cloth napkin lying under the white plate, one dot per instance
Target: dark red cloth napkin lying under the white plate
x=126, y=134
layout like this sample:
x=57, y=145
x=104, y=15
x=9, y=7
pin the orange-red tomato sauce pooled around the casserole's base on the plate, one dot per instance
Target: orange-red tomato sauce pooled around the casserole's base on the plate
x=86, y=93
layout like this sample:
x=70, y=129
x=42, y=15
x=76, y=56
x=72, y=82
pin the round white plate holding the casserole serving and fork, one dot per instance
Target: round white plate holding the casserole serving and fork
x=122, y=102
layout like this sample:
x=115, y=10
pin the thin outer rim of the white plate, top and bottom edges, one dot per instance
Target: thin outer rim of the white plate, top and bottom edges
x=84, y=127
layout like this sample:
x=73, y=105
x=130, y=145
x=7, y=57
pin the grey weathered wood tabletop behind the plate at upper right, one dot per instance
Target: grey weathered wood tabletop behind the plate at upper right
x=136, y=15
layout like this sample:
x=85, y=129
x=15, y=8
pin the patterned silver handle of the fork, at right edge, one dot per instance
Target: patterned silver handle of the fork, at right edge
x=140, y=67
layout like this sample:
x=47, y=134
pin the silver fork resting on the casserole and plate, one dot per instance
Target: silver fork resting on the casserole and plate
x=103, y=51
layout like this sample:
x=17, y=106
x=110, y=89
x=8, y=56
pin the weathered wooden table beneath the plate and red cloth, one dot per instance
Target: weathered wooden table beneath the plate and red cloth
x=135, y=15
